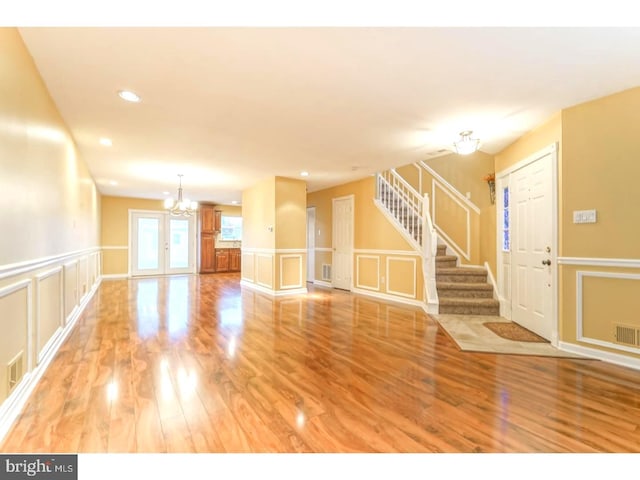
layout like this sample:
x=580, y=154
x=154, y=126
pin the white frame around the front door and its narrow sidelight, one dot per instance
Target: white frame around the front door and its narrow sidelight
x=503, y=258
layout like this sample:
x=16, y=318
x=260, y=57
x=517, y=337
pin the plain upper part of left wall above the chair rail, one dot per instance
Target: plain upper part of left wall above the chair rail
x=50, y=204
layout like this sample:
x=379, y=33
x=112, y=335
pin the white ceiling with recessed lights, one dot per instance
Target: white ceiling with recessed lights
x=229, y=106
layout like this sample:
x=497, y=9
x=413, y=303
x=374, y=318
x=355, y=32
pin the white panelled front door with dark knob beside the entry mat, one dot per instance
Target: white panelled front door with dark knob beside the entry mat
x=532, y=246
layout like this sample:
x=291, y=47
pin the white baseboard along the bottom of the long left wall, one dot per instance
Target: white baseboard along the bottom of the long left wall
x=13, y=405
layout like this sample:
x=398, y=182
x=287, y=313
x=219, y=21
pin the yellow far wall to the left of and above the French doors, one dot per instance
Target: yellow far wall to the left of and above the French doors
x=115, y=230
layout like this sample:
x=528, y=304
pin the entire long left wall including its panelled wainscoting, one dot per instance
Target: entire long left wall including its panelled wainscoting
x=50, y=222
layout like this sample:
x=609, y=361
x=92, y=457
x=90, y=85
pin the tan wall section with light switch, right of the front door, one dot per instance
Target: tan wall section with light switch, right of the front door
x=600, y=170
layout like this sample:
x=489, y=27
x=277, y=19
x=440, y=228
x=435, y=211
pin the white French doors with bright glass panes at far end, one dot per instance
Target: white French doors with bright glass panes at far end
x=161, y=244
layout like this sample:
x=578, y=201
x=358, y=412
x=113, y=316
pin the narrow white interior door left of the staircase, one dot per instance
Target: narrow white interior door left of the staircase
x=342, y=242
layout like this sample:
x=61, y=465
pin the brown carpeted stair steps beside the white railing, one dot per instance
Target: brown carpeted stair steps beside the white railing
x=463, y=290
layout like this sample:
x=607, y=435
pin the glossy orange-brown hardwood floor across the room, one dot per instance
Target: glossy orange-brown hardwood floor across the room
x=199, y=364
